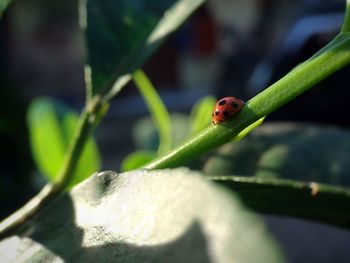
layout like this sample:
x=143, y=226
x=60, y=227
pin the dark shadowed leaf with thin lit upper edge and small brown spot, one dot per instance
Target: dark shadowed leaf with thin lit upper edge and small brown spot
x=308, y=200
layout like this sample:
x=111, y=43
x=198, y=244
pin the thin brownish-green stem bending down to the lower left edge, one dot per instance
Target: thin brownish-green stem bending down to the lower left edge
x=85, y=126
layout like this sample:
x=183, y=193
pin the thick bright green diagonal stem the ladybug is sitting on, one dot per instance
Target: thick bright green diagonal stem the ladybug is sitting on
x=328, y=60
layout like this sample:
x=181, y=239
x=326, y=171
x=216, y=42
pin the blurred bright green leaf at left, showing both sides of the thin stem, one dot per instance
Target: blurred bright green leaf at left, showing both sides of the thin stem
x=51, y=125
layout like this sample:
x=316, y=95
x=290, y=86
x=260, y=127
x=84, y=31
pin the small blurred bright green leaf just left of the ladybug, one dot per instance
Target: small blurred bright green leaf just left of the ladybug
x=200, y=116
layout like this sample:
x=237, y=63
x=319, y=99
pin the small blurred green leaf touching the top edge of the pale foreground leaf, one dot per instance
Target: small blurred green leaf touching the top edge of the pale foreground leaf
x=137, y=159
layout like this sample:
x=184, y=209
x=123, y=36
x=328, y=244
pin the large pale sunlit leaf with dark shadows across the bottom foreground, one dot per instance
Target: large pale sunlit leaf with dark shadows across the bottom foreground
x=142, y=216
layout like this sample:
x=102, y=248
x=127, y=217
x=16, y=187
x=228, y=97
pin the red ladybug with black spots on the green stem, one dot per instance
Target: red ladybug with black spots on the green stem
x=225, y=108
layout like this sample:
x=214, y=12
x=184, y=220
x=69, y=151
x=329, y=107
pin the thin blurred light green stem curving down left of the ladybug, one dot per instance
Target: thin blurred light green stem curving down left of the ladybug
x=157, y=109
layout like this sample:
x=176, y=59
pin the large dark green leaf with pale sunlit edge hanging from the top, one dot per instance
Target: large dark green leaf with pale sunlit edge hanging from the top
x=122, y=34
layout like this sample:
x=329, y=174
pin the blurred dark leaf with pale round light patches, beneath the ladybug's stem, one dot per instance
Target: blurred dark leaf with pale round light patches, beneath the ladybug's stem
x=294, y=151
